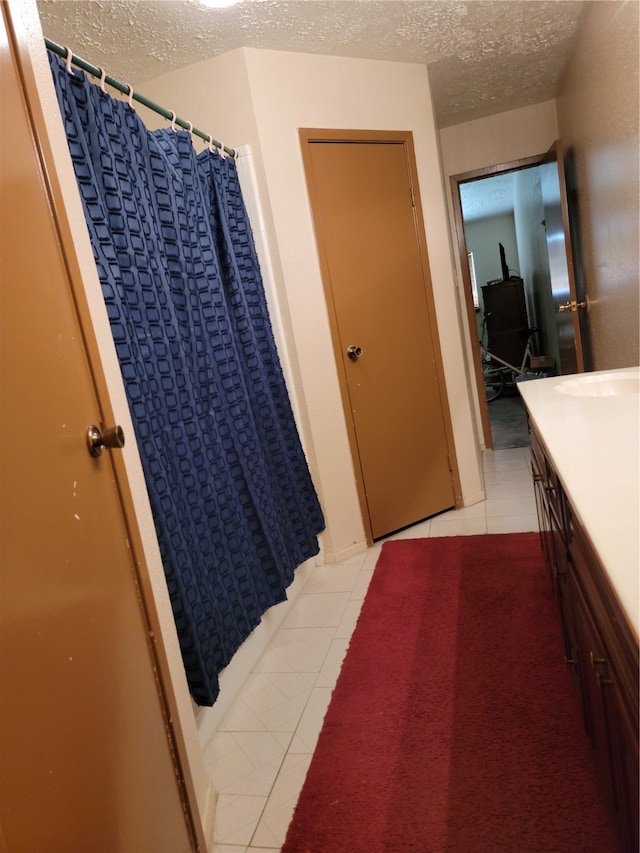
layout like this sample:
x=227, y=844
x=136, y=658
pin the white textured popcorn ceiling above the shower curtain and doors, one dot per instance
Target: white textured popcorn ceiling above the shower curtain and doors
x=483, y=57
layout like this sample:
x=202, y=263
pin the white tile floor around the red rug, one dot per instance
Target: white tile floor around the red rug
x=259, y=755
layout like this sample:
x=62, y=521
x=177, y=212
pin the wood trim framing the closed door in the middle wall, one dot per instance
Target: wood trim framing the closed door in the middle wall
x=405, y=138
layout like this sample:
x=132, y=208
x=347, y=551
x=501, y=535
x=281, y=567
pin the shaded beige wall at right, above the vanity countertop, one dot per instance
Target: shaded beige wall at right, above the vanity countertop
x=598, y=120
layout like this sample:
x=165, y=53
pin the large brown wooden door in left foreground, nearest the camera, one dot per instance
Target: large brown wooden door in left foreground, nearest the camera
x=89, y=761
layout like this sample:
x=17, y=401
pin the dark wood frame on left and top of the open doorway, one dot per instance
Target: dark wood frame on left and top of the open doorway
x=455, y=182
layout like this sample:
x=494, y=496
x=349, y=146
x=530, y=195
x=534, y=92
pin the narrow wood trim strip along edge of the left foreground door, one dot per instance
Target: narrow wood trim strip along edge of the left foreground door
x=19, y=47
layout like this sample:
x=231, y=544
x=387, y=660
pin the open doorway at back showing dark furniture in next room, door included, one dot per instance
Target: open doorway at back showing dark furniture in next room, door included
x=517, y=266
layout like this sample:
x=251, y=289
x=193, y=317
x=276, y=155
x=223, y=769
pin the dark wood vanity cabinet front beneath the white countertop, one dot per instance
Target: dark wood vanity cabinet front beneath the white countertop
x=600, y=646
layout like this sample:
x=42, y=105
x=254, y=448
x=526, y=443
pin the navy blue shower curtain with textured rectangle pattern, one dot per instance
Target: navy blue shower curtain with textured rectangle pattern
x=233, y=503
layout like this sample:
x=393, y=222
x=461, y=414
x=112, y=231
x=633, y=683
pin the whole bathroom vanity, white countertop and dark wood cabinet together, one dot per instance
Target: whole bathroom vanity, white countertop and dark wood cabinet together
x=585, y=442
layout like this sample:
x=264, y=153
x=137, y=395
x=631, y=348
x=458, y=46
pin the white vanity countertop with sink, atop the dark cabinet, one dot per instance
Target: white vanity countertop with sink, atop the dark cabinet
x=594, y=444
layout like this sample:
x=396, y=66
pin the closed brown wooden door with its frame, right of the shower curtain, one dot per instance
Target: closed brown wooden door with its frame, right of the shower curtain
x=366, y=214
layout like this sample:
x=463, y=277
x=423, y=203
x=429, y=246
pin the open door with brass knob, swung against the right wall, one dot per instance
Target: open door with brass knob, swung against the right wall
x=563, y=283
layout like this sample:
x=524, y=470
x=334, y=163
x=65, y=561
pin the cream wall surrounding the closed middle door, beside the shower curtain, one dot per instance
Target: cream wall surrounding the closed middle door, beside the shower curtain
x=262, y=98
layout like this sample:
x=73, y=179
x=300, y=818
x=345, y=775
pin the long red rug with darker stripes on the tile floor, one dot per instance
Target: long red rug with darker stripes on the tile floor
x=454, y=725
